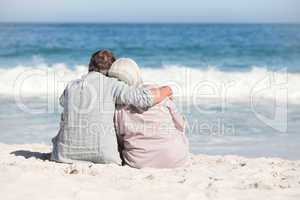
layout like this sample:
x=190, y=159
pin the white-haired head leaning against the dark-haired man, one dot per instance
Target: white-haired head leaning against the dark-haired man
x=126, y=70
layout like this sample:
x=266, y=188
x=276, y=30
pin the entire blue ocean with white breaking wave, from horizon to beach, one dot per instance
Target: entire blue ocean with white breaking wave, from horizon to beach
x=238, y=85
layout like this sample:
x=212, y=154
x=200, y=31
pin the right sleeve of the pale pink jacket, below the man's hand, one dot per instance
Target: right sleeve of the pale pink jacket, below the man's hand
x=178, y=119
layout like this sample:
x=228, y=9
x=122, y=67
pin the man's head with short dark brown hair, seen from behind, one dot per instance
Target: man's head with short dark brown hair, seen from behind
x=101, y=61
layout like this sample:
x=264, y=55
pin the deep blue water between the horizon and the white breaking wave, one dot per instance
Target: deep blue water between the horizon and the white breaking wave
x=226, y=46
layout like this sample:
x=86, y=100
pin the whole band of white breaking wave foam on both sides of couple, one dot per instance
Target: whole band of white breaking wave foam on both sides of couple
x=258, y=83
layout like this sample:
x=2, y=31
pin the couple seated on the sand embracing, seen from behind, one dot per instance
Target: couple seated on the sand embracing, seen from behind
x=109, y=116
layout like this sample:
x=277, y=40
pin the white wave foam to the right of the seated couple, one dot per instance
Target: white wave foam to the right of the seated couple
x=258, y=83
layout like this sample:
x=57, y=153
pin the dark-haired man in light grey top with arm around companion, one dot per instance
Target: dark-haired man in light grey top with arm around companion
x=86, y=129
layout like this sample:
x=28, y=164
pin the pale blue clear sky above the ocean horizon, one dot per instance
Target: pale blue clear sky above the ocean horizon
x=202, y=11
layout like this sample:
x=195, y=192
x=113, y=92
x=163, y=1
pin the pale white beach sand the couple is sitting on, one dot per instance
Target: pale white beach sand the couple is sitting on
x=209, y=177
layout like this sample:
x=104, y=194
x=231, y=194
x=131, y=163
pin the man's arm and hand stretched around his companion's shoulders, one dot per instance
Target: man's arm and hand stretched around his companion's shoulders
x=140, y=97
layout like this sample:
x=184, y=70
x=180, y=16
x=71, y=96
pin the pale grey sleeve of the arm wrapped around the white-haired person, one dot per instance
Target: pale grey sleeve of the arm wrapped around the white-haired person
x=138, y=97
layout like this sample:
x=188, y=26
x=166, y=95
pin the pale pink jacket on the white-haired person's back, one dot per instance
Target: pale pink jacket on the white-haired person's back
x=154, y=138
